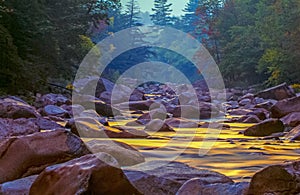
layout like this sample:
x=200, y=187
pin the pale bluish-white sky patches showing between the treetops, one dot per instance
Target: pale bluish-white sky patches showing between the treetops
x=147, y=5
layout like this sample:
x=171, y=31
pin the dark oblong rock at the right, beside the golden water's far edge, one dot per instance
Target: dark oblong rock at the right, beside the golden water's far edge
x=265, y=128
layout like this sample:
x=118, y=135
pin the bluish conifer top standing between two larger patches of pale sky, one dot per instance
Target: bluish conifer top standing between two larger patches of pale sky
x=162, y=13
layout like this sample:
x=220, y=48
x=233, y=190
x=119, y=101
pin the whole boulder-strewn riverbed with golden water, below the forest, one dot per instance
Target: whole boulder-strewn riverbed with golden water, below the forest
x=247, y=144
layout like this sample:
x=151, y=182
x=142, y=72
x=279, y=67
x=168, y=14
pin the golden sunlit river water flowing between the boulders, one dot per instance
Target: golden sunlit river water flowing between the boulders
x=232, y=154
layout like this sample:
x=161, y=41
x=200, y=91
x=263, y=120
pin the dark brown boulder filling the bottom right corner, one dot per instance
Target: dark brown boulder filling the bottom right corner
x=277, y=179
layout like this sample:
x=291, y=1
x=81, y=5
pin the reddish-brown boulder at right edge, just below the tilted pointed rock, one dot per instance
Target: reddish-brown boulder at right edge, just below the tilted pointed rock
x=284, y=107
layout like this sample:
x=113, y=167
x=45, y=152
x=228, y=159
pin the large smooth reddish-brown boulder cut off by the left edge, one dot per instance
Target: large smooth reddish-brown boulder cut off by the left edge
x=28, y=155
